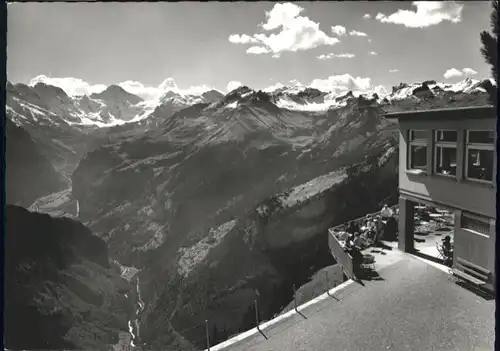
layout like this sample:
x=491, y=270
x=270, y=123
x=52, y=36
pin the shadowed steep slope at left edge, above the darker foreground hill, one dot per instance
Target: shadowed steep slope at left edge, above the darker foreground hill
x=29, y=175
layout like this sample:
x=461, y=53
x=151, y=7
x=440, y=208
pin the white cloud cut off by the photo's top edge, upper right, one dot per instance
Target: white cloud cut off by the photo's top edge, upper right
x=428, y=13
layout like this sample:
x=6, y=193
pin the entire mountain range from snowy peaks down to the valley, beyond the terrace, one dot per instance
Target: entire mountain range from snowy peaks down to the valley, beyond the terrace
x=212, y=197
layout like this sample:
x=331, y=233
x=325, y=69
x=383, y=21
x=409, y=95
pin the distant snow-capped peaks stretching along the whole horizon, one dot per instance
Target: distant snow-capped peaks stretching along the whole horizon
x=116, y=106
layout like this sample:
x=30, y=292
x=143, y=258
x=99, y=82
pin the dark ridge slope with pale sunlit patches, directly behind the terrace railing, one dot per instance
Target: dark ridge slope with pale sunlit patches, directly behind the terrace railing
x=260, y=254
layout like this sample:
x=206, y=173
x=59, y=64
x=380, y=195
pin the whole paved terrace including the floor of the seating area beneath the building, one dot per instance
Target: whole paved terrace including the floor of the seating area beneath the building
x=411, y=303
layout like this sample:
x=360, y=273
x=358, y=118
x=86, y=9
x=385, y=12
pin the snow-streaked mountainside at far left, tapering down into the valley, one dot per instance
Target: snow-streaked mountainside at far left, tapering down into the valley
x=64, y=128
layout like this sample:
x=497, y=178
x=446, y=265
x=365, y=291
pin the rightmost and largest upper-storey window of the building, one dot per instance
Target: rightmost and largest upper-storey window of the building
x=479, y=155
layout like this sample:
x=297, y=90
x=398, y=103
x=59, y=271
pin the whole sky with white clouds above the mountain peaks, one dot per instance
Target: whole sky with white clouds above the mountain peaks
x=190, y=46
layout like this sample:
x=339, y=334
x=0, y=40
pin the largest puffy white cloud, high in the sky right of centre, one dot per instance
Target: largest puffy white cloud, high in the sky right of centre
x=296, y=33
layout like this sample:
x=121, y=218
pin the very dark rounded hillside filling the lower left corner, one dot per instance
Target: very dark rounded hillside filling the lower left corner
x=60, y=290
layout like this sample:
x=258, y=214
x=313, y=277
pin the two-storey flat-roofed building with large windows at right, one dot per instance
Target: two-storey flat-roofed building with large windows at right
x=447, y=160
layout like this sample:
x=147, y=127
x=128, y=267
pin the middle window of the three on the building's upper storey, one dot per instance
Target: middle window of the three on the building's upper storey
x=445, y=159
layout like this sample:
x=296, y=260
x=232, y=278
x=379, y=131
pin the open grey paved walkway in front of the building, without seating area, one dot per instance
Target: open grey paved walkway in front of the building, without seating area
x=414, y=307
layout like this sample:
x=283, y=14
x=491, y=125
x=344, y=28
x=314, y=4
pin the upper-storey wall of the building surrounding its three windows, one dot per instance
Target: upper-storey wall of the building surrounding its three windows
x=456, y=193
